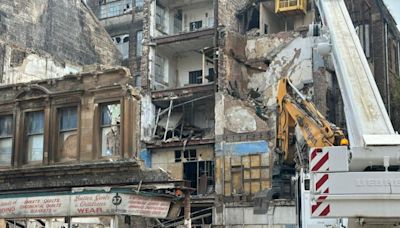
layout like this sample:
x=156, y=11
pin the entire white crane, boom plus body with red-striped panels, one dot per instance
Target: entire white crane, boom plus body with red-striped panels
x=355, y=181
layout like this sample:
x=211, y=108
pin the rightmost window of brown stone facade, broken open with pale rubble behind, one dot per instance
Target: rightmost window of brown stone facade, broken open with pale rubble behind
x=110, y=129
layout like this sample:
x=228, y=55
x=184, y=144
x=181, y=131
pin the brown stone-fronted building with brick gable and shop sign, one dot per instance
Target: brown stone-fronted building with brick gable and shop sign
x=68, y=119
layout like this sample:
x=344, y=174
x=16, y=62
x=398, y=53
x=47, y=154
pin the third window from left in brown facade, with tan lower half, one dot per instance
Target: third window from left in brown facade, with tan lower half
x=67, y=135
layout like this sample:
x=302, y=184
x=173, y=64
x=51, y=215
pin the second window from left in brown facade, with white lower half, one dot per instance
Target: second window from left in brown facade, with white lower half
x=35, y=135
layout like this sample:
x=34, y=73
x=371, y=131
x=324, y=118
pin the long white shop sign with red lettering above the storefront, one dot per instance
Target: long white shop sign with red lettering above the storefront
x=84, y=204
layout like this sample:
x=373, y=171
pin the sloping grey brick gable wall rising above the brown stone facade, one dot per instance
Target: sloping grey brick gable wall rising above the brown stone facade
x=47, y=38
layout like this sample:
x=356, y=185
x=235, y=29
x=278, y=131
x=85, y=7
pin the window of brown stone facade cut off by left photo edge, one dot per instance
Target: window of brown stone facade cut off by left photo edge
x=6, y=137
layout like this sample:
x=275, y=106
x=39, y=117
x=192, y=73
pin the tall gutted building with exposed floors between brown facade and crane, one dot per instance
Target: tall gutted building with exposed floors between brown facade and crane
x=209, y=73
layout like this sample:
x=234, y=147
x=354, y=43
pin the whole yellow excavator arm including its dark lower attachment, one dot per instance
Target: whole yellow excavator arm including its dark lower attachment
x=294, y=110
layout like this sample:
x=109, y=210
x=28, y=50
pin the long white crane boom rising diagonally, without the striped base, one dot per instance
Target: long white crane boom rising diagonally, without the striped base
x=367, y=121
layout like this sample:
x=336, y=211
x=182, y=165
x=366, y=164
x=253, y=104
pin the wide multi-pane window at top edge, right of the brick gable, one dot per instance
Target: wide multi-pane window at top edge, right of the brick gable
x=114, y=8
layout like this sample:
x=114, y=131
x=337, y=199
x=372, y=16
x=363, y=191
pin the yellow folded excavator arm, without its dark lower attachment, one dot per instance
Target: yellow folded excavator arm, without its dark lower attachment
x=295, y=110
